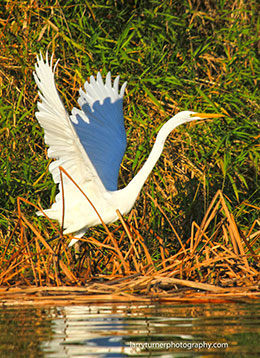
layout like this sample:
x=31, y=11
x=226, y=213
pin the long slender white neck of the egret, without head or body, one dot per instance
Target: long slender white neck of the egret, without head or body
x=136, y=184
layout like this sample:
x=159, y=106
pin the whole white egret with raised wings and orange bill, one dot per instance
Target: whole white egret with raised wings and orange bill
x=89, y=144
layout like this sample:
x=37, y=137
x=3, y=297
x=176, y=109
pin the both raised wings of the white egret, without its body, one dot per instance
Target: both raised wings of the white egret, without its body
x=90, y=144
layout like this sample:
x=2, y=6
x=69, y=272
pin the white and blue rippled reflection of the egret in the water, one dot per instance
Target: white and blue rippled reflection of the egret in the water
x=89, y=331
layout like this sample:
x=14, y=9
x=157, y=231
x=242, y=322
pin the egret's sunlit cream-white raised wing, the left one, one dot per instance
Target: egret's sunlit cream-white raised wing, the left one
x=60, y=135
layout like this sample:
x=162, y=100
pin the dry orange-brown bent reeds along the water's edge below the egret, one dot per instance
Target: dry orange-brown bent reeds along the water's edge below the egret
x=217, y=262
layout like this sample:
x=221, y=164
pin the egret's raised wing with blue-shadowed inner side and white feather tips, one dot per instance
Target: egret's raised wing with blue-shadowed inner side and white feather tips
x=100, y=126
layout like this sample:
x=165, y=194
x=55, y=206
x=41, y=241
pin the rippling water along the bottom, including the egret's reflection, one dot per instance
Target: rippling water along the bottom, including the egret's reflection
x=131, y=331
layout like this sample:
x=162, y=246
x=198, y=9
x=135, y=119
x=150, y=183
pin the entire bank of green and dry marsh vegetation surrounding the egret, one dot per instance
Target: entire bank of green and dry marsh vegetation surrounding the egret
x=197, y=218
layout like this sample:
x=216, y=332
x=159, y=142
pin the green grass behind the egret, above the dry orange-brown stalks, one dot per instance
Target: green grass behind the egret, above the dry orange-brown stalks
x=175, y=56
